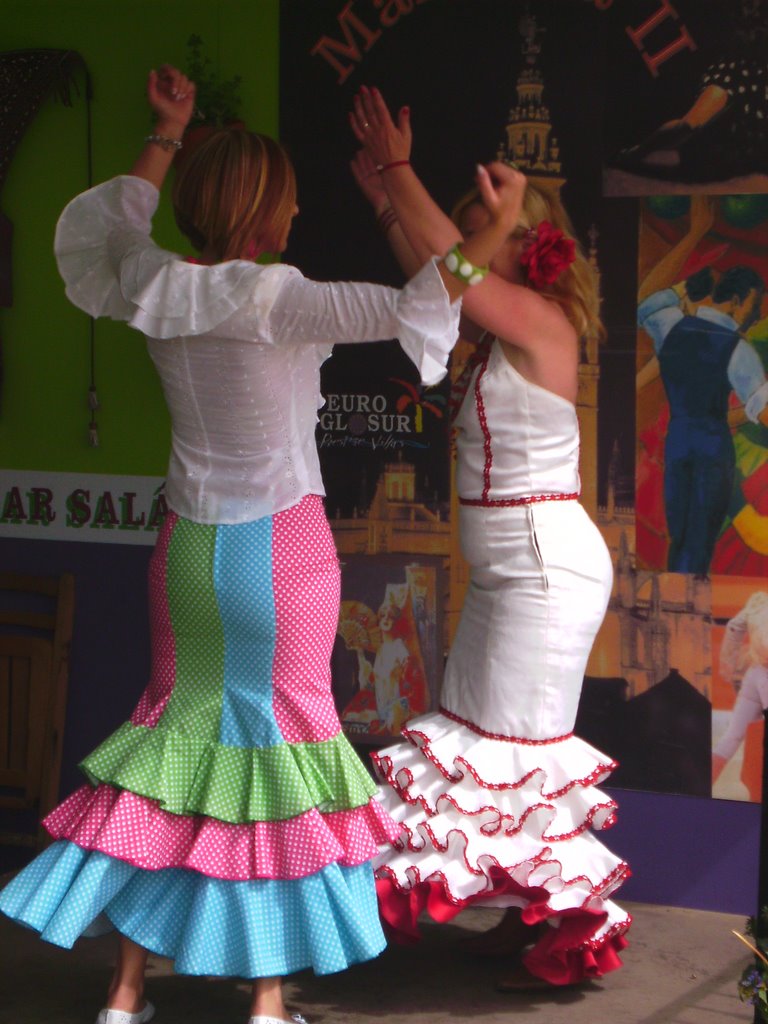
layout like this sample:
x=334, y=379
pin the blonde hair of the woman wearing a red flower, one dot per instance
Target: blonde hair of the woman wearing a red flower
x=576, y=289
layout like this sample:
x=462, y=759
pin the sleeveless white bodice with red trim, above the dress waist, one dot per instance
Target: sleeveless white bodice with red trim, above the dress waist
x=516, y=440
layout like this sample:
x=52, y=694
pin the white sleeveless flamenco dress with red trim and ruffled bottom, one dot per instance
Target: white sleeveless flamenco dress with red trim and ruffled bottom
x=495, y=795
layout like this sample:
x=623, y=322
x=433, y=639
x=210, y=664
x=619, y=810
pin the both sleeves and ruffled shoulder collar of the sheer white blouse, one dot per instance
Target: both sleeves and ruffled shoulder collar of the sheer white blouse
x=113, y=269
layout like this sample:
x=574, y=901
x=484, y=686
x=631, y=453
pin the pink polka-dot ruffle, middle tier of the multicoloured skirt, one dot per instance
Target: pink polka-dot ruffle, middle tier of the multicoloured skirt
x=137, y=831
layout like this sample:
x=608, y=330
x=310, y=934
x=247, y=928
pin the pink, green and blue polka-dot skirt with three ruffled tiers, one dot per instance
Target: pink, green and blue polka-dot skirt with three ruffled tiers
x=229, y=825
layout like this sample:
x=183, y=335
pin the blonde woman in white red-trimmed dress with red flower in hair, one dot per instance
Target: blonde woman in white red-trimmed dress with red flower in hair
x=495, y=794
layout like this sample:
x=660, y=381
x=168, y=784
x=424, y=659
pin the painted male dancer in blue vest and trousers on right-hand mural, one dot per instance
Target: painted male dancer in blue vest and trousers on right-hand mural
x=702, y=358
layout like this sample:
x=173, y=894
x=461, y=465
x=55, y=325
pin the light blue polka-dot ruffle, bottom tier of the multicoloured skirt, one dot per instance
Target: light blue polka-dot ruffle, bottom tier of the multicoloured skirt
x=263, y=928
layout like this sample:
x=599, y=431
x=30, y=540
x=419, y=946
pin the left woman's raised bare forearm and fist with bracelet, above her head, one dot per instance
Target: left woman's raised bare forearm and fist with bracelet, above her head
x=172, y=97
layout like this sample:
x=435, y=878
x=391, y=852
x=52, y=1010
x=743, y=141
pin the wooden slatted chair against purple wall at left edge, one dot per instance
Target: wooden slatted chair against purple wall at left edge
x=36, y=620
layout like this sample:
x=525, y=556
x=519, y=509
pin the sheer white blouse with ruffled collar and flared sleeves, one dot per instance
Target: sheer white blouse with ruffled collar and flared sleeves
x=238, y=348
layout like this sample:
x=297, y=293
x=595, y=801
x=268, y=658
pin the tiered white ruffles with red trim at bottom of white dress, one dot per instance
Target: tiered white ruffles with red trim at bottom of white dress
x=507, y=824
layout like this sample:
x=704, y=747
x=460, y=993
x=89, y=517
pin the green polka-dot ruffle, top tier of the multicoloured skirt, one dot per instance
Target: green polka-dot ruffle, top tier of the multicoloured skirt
x=189, y=776
